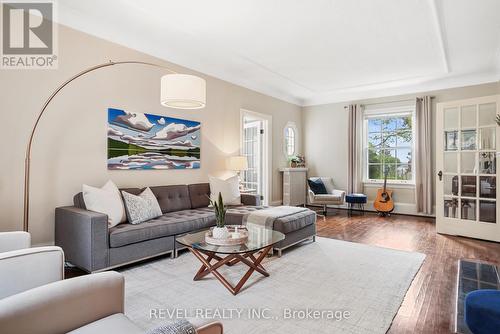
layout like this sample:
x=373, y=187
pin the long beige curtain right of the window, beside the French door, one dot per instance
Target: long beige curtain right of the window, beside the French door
x=423, y=149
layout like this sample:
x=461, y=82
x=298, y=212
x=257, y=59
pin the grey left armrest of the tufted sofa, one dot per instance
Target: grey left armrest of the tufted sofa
x=83, y=235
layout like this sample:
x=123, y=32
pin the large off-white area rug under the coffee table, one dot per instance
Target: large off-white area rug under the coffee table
x=329, y=286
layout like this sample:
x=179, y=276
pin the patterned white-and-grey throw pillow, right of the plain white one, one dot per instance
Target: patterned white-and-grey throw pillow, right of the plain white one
x=141, y=208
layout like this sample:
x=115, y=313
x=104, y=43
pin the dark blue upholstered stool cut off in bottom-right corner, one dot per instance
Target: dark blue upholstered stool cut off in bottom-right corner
x=482, y=311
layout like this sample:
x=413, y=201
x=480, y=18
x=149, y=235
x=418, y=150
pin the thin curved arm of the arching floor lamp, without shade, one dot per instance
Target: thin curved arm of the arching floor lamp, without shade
x=27, y=161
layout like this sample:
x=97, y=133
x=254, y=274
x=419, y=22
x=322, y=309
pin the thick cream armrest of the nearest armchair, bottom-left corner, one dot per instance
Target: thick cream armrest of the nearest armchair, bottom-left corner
x=63, y=306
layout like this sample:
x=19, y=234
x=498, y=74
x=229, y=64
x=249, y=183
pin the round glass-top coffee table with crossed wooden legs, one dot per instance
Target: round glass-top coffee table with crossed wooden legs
x=260, y=239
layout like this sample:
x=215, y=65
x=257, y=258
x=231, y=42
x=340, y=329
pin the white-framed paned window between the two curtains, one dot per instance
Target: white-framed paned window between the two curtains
x=389, y=146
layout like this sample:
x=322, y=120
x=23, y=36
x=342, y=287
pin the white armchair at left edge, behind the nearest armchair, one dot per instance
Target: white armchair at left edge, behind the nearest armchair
x=23, y=268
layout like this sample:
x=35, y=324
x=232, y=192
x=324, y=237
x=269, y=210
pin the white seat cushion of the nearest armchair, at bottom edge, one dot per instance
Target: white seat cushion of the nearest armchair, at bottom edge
x=116, y=323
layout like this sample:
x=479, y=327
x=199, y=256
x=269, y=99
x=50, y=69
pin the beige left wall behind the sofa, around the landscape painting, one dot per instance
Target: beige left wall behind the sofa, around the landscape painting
x=70, y=143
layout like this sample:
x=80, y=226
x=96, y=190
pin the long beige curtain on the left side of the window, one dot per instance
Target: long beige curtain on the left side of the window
x=355, y=127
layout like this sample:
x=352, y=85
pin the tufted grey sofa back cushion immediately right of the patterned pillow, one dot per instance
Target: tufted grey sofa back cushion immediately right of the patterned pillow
x=172, y=198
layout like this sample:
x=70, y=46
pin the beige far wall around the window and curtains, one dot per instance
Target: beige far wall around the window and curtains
x=326, y=153
